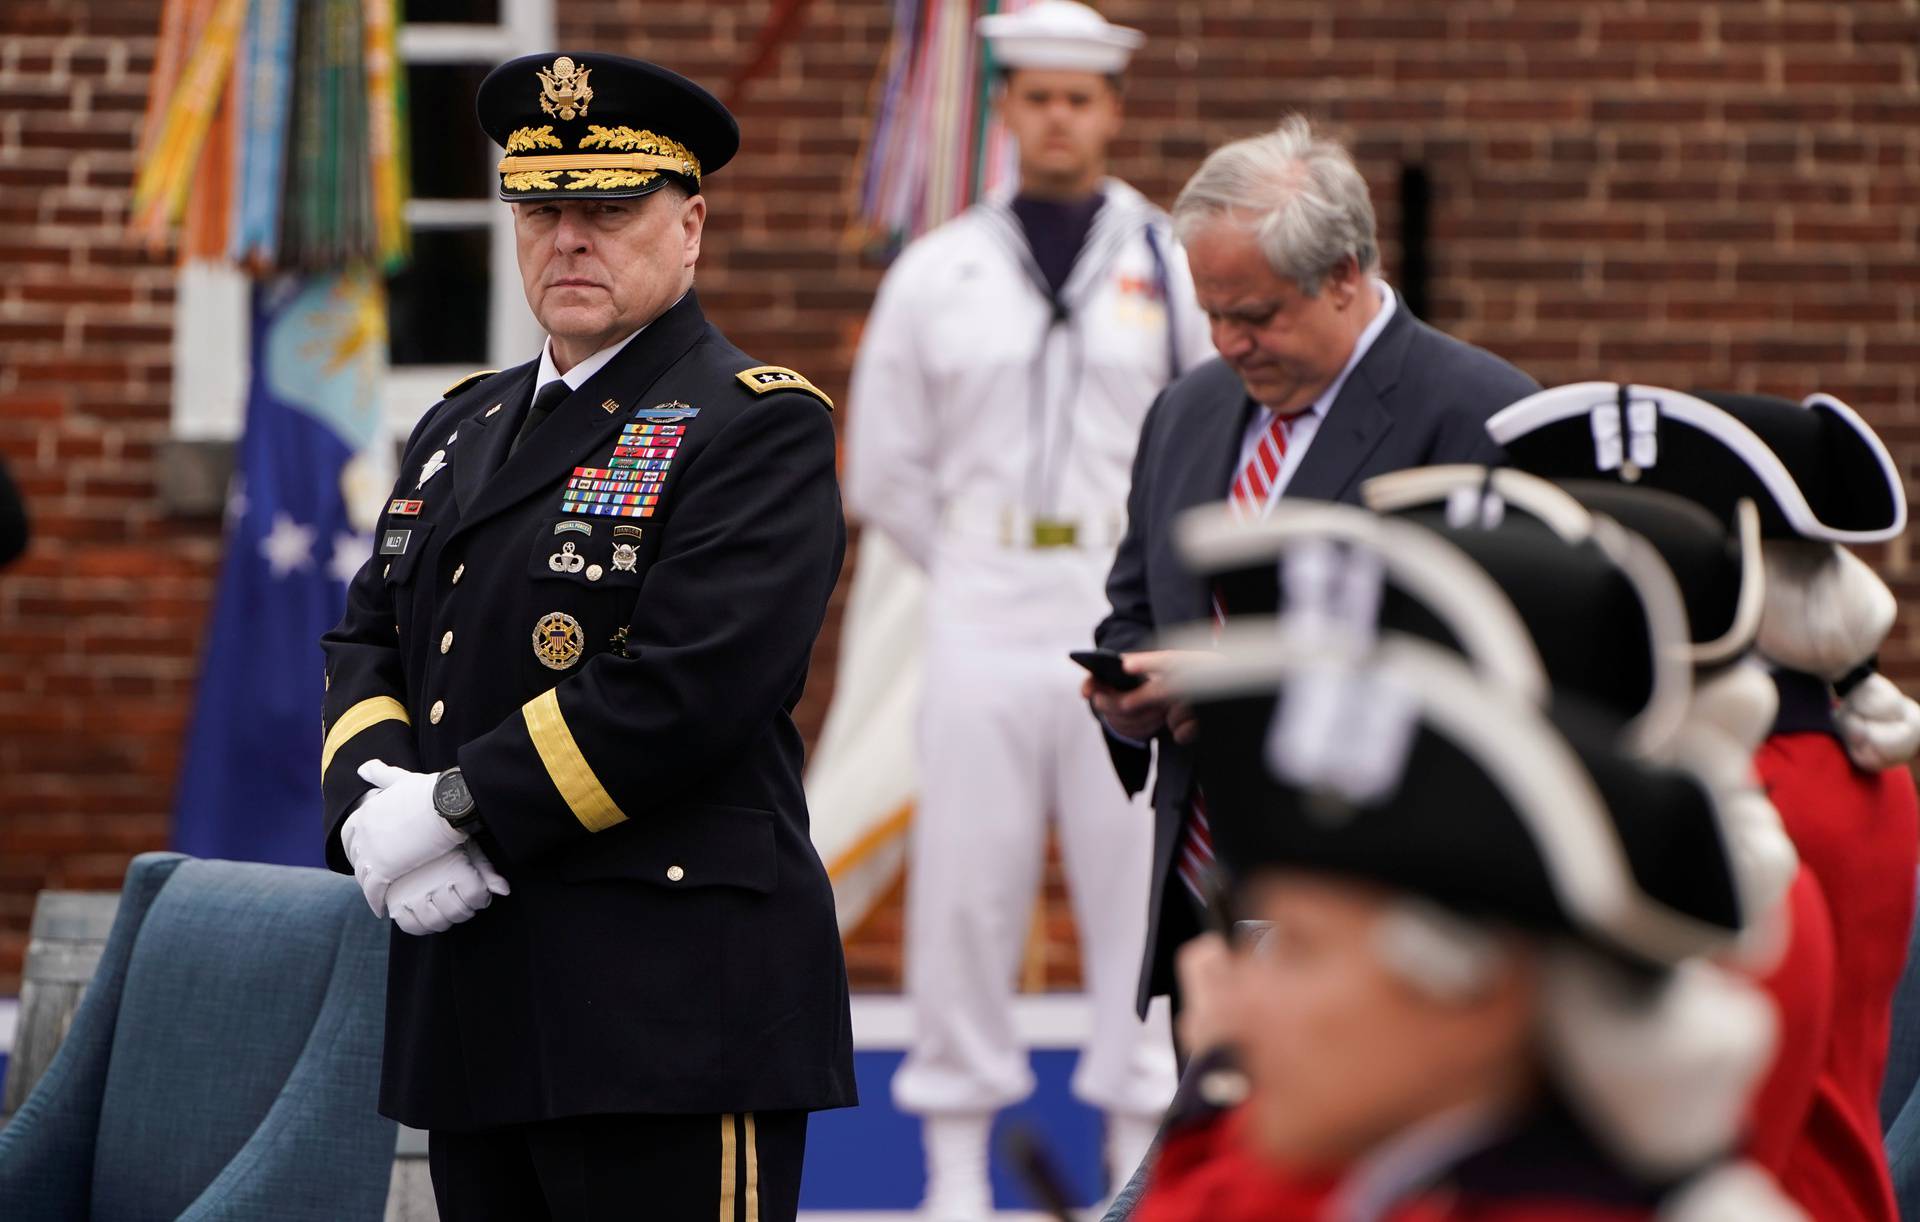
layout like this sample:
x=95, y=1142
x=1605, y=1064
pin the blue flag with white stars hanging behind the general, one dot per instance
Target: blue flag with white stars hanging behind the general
x=310, y=477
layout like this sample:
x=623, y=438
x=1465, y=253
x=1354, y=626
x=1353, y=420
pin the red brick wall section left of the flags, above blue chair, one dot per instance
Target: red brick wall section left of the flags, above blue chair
x=101, y=622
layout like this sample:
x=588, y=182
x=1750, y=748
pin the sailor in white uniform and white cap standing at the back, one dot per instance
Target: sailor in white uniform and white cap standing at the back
x=997, y=399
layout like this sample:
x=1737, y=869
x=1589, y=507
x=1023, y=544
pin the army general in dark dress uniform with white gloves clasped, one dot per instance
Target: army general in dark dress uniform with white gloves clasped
x=558, y=735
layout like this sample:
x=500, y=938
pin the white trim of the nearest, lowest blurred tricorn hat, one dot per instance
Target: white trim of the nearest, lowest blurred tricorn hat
x=1533, y=766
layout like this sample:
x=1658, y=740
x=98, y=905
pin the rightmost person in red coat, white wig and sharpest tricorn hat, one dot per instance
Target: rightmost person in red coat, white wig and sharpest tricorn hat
x=1835, y=758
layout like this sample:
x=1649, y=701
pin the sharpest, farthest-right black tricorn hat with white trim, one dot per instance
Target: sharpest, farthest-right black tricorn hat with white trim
x=1815, y=470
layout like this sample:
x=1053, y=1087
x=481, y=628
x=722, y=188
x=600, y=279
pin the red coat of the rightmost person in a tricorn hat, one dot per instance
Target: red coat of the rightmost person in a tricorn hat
x=1860, y=837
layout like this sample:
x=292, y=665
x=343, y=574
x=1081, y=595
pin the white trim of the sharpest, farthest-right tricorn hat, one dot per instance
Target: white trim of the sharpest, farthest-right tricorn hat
x=1627, y=445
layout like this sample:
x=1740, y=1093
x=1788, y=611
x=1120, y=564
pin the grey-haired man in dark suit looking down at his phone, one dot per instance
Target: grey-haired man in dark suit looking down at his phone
x=1324, y=379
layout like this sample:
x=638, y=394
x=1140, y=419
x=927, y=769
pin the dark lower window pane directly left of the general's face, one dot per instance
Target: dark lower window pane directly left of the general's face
x=437, y=308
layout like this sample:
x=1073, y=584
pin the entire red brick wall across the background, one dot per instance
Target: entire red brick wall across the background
x=1671, y=191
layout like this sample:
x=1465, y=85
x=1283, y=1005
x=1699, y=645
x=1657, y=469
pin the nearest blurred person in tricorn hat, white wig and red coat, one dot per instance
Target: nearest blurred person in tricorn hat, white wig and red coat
x=1472, y=983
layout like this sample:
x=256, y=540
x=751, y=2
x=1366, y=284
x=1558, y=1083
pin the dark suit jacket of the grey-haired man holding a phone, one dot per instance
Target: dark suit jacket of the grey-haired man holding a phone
x=1414, y=401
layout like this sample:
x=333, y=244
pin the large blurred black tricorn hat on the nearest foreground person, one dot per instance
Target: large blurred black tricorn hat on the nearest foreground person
x=1412, y=773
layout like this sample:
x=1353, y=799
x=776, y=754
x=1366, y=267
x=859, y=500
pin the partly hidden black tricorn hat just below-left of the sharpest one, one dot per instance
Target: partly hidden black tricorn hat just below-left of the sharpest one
x=1717, y=570
